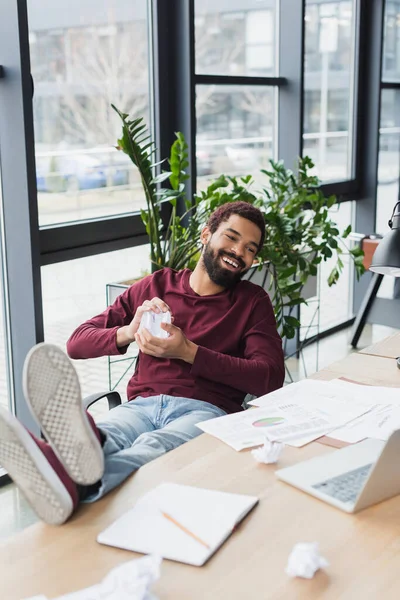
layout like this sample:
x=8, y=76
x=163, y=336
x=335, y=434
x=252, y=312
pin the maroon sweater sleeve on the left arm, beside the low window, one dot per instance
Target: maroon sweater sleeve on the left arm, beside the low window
x=98, y=336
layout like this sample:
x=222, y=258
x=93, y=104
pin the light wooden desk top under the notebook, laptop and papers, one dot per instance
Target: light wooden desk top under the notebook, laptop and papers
x=363, y=549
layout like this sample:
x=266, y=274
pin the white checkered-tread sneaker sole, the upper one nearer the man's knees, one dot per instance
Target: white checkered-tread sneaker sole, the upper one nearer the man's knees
x=53, y=392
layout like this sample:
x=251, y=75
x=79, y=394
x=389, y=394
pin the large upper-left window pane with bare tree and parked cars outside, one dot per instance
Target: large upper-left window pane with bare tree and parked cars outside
x=82, y=61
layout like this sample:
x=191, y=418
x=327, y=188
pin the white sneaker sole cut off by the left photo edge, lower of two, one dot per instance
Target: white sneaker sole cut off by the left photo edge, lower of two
x=31, y=472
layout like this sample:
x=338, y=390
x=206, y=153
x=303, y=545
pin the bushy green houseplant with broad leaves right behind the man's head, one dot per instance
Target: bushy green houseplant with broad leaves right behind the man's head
x=300, y=233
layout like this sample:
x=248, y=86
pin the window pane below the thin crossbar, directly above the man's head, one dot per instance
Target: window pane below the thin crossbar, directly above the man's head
x=235, y=130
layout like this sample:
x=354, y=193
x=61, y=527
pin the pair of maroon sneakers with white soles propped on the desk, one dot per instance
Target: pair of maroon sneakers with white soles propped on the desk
x=48, y=474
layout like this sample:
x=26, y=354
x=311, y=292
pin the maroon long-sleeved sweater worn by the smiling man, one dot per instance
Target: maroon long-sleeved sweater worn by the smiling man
x=240, y=351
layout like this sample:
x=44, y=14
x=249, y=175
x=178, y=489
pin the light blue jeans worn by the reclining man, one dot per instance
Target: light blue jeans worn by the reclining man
x=139, y=431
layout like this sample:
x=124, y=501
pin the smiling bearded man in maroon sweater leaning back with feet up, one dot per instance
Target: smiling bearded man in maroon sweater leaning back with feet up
x=222, y=344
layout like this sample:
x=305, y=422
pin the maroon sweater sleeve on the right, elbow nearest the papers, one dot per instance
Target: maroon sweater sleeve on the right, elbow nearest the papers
x=261, y=370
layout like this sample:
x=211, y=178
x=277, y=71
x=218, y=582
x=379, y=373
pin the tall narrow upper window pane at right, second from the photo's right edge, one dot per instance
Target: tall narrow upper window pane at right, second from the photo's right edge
x=329, y=87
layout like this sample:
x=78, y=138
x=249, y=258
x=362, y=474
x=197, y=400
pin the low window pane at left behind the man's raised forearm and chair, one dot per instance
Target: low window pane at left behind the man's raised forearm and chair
x=74, y=291
